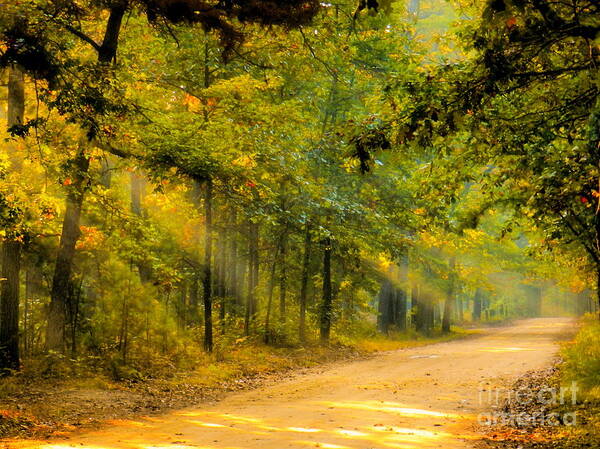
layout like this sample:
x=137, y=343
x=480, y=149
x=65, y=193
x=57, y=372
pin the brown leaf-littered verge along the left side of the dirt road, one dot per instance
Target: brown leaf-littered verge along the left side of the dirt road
x=35, y=407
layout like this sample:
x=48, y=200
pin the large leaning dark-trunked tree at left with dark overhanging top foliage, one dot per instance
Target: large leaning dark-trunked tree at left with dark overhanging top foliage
x=29, y=42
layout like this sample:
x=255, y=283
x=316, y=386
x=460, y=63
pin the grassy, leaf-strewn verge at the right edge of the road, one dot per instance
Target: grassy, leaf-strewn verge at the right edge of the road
x=580, y=363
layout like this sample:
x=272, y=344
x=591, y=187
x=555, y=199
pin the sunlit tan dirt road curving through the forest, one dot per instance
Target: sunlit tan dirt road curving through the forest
x=426, y=397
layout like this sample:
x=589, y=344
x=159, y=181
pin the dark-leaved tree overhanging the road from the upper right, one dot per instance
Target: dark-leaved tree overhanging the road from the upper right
x=521, y=103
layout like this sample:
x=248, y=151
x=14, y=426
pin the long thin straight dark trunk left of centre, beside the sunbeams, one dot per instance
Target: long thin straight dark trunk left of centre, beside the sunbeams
x=207, y=281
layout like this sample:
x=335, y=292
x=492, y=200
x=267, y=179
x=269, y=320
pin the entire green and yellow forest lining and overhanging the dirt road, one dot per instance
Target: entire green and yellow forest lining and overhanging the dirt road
x=185, y=181
